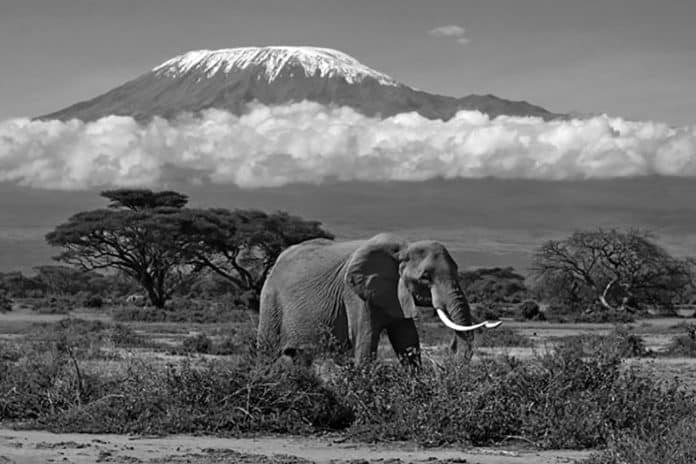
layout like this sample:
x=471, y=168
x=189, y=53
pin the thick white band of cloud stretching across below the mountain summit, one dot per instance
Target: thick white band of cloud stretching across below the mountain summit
x=308, y=142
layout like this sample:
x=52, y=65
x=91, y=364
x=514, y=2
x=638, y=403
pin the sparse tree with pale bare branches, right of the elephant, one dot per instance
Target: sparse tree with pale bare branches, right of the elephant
x=614, y=269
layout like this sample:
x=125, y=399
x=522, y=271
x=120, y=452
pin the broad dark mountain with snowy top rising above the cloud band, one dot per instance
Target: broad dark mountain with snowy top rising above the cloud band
x=231, y=78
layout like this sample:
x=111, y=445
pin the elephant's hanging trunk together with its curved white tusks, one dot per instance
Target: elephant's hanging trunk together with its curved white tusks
x=453, y=309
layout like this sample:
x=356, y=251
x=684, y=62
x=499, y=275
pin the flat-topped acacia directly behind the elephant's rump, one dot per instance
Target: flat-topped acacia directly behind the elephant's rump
x=242, y=245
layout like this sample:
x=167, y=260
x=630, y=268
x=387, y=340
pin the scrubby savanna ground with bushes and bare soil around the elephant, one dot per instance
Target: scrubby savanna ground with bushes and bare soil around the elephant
x=121, y=383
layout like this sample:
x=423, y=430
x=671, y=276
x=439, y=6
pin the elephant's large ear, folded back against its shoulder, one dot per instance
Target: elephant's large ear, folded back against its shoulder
x=373, y=273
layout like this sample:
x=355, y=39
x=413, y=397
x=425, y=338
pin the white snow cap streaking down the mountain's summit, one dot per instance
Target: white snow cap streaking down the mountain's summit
x=324, y=61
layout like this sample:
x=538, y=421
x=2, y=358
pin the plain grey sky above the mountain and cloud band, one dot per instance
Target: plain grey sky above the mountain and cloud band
x=629, y=58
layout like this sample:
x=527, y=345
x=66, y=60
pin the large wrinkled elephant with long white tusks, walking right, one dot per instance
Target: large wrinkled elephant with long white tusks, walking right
x=355, y=290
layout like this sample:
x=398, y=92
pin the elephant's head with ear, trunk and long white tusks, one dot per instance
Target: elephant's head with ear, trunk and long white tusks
x=395, y=276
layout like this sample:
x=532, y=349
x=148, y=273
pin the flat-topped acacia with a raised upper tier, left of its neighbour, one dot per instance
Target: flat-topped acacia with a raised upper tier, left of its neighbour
x=140, y=234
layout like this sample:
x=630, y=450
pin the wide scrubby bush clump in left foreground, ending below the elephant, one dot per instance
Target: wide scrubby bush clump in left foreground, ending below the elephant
x=149, y=398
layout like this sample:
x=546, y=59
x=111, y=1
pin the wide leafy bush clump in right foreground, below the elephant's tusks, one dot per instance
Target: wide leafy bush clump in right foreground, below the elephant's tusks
x=557, y=401
